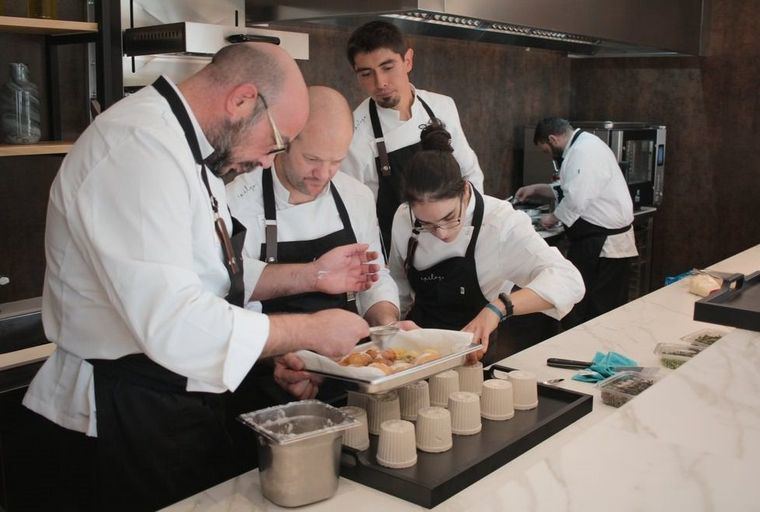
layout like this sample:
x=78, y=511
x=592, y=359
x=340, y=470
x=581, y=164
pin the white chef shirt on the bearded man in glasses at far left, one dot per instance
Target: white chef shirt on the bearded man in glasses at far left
x=134, y=264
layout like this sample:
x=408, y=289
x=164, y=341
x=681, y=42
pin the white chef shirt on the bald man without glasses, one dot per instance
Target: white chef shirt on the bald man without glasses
x=308, y=221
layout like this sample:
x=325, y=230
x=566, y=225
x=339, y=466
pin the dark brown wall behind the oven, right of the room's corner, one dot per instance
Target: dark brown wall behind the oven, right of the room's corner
x=711, y=106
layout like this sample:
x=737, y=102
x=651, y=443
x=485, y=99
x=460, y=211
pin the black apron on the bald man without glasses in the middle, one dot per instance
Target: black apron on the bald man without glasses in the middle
x=303, y=251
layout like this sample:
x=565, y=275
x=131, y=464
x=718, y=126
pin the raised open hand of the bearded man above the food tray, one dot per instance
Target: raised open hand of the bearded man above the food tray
x=346, y=269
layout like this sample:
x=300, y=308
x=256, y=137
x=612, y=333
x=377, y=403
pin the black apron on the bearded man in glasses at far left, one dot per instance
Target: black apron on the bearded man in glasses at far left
x=158, y=443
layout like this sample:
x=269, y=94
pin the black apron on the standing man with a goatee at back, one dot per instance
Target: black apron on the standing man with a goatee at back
x=389, y=167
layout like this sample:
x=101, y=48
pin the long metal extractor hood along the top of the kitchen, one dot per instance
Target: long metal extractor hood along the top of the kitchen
x=578, y=27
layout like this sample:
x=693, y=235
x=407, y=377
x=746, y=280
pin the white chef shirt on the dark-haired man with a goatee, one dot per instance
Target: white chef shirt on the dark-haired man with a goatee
x=360, y=162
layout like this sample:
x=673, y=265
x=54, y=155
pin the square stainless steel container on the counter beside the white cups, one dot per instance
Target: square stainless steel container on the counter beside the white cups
x=299, y=450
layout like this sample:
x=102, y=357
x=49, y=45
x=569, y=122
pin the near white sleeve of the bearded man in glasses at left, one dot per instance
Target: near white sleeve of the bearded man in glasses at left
x=133, y=224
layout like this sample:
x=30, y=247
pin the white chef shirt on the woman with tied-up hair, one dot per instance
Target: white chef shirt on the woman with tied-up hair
x=508, y=252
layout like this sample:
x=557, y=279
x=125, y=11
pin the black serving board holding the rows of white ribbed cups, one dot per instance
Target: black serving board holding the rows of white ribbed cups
x=438, y=476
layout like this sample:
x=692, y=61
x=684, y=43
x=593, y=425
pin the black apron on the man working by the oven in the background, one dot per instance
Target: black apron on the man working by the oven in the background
x=604, y=286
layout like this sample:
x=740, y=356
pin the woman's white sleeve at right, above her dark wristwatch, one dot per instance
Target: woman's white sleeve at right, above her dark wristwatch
x=533, y=264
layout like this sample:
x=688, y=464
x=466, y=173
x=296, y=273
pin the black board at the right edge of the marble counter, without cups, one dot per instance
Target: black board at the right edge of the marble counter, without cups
x=737, y=303
